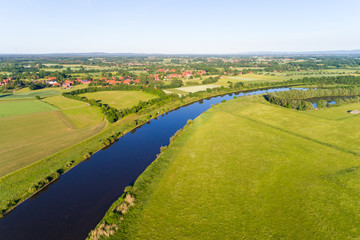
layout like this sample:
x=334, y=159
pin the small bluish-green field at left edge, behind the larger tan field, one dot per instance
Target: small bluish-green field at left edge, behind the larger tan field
x=14, y=108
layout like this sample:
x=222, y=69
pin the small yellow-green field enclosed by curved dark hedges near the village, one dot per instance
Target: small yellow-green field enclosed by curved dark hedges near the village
x=120, y=99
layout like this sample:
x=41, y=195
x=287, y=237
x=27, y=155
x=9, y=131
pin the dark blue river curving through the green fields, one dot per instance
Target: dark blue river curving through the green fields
x=73, y=205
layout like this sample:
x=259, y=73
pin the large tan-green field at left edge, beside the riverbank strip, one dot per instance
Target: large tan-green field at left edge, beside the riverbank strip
x=29, y=138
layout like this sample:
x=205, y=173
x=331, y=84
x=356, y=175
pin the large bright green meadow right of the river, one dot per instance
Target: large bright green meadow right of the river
x=247, y=169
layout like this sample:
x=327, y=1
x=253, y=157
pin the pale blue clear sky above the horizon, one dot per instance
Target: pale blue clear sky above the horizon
x=159, y=26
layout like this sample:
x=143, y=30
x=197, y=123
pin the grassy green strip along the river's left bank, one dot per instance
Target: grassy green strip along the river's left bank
x=20, y=185
